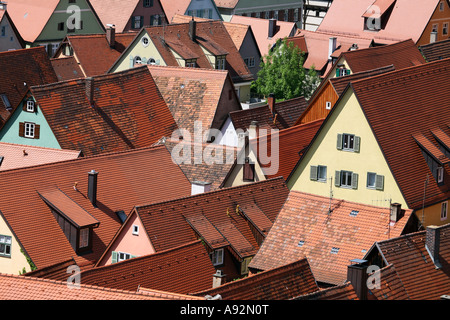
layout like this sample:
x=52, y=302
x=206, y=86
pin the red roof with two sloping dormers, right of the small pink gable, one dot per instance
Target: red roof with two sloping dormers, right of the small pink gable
x=167, y=223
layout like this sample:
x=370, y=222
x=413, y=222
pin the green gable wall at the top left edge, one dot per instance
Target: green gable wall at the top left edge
x=51, y=35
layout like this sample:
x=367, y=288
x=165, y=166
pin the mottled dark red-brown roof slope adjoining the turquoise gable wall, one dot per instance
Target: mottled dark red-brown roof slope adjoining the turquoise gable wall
x=128, y=112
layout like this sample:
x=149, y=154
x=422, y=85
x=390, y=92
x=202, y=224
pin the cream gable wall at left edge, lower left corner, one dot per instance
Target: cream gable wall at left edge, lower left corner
x=17, y=261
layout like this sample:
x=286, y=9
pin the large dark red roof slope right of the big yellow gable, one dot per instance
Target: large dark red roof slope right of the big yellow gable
x=414, y=101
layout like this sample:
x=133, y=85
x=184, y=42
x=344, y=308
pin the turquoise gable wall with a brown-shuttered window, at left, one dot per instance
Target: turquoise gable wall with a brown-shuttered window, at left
x=10, y=132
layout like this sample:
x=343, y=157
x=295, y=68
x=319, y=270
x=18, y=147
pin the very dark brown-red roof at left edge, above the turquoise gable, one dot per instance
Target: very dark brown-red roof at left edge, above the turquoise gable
x=21, y=69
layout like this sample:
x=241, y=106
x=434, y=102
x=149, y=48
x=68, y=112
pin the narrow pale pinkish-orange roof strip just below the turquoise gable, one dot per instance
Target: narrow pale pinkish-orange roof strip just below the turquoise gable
x=20, y=156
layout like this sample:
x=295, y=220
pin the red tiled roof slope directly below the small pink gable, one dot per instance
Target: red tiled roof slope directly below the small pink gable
x=184, y=269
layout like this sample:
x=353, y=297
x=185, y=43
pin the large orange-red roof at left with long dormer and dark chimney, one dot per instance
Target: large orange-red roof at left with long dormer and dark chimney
x=125, y=179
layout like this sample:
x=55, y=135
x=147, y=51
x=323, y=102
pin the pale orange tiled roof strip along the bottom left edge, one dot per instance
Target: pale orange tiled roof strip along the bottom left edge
x=13, y=287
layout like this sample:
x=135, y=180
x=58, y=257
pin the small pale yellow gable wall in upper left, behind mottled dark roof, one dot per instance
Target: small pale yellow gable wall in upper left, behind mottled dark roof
x=137, y=48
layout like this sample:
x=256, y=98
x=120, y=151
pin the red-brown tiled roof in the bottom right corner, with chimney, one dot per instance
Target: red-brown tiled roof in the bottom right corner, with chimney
x=414, y=267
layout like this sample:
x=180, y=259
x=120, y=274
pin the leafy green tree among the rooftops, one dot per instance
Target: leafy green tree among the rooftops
x=282, y=73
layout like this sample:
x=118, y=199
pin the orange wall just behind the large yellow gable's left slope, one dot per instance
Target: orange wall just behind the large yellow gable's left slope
x=317, y=108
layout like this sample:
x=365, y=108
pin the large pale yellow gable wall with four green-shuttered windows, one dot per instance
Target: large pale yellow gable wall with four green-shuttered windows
x=347, y=118
